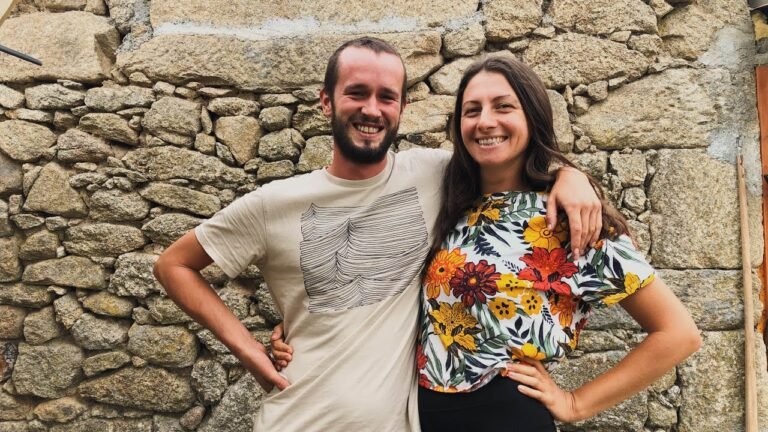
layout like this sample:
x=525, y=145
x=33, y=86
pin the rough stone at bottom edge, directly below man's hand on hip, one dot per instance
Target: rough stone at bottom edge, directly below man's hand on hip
x=236, y=410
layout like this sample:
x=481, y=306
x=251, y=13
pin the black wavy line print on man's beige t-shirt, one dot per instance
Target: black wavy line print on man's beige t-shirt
x=356, y=256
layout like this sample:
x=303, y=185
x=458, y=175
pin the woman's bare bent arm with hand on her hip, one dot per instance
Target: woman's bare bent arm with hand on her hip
x=672, y=336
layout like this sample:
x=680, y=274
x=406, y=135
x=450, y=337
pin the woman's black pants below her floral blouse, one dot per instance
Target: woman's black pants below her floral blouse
x=497, y=406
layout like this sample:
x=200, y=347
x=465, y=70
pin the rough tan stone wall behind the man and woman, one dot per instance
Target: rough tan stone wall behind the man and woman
x=148, y=117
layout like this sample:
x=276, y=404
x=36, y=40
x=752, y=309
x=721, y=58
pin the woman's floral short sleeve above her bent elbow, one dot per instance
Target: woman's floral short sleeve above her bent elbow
x=611, y=272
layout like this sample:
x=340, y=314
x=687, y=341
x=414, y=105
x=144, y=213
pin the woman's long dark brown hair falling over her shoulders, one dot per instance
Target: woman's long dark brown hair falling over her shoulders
x=461, y=184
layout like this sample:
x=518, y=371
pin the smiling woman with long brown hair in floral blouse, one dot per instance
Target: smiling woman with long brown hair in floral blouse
x=502, y=295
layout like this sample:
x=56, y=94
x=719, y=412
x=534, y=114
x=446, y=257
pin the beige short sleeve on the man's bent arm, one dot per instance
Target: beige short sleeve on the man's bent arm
x=236, y=235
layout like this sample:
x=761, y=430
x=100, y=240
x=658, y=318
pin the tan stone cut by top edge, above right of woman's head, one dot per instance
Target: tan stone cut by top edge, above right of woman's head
x=602, y=17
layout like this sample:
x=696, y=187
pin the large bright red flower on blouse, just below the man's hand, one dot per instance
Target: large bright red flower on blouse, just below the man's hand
x=546, y=268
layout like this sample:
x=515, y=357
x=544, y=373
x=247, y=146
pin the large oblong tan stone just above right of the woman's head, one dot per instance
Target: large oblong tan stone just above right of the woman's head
x=572, y=59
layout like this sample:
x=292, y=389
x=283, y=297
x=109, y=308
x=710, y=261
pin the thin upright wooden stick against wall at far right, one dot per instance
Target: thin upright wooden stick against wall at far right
x=749, y=318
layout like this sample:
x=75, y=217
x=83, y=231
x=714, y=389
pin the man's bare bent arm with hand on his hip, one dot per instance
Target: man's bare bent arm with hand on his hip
x=178, y=270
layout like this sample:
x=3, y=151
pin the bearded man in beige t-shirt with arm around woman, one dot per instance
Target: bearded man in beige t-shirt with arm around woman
x=341, y=250
